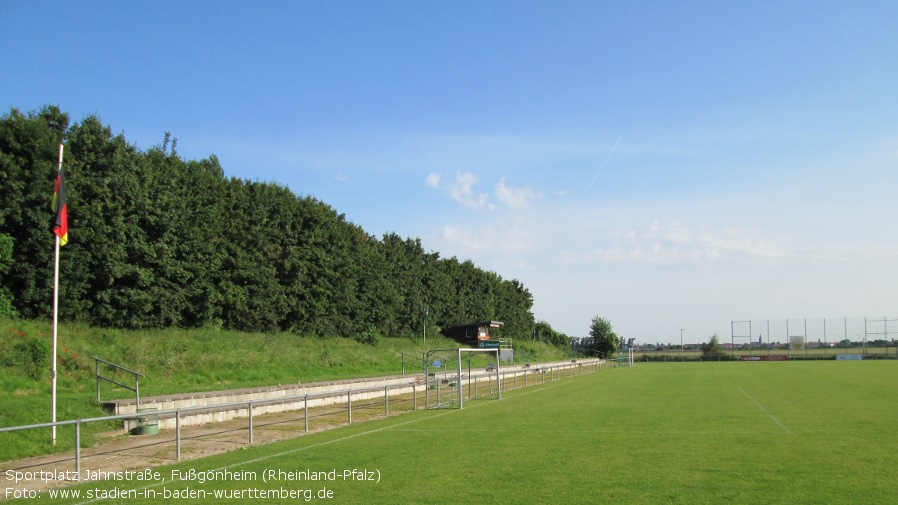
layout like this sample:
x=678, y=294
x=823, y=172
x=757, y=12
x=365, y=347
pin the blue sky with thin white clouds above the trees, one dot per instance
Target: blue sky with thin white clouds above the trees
x=663, y=164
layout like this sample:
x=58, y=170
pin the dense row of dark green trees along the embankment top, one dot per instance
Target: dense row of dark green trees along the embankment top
x=159, y=241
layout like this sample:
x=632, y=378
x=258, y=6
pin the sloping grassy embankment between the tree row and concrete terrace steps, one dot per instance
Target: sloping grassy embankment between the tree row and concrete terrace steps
x=173, y=361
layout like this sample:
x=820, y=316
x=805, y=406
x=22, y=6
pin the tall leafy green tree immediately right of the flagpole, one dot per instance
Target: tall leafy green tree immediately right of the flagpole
x=103, y=272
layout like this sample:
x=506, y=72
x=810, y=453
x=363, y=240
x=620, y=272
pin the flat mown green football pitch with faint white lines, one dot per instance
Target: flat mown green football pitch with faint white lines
x=790, y=432
